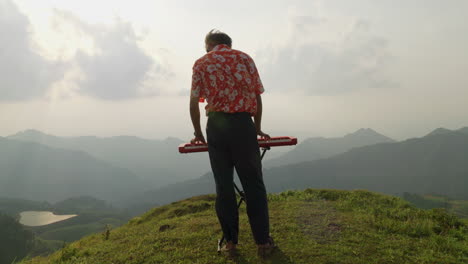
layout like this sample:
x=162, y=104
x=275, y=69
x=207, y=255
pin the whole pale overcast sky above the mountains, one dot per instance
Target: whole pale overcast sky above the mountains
x=120, y=67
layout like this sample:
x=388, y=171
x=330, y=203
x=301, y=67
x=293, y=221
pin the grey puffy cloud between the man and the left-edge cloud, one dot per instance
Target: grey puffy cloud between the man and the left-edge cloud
x=117, y=68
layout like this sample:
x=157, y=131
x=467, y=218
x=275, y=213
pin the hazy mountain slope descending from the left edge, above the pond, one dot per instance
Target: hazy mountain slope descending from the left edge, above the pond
x=41, y=173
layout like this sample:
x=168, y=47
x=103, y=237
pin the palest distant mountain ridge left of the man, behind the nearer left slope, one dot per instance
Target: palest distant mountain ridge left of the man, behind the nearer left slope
x=155, y=161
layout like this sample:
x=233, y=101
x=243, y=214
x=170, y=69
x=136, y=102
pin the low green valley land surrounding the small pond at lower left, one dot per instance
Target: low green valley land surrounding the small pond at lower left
x=94, y=215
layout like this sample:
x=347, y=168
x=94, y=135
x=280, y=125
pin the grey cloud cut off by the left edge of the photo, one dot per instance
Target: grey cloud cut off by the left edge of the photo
x=25, y=74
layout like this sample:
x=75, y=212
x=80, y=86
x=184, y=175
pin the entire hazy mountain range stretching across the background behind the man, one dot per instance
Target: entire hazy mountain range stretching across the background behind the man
x=142, y=173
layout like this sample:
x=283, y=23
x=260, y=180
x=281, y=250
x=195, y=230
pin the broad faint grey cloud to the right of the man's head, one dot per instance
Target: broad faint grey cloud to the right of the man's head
x=327, y=56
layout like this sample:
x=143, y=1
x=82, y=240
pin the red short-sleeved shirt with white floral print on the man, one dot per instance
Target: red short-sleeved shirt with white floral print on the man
x=228, y=80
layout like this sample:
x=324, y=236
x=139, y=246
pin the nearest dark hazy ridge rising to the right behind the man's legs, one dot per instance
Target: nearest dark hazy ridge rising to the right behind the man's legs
x=419, y=165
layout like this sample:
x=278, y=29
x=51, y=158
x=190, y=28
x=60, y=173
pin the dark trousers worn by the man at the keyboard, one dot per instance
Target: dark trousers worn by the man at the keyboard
x=232, y=143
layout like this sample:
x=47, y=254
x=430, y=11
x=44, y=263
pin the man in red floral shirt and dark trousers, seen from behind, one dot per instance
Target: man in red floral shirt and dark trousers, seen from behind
x=230, y=83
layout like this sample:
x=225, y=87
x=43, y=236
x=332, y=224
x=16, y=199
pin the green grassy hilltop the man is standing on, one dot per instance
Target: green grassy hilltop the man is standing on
x=311, y=226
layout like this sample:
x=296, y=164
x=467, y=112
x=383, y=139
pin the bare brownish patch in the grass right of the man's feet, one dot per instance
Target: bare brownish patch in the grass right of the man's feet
x=320, y=221
